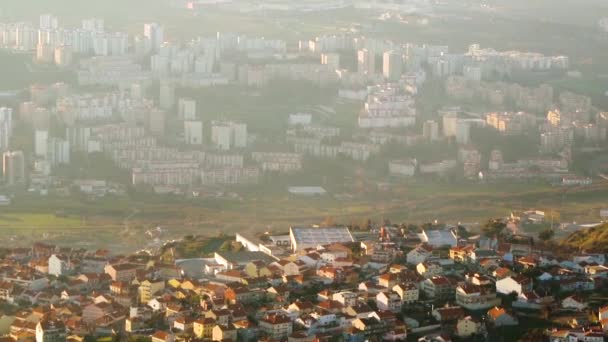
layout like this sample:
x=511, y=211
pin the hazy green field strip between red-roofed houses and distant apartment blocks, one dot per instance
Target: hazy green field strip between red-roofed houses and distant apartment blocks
x=100, y=222
